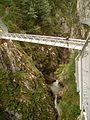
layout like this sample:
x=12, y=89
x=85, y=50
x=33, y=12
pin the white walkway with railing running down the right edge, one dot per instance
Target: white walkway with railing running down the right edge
x=83, y=78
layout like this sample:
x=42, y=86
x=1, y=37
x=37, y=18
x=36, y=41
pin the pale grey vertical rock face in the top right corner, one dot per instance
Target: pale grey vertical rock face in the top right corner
x=83, y=7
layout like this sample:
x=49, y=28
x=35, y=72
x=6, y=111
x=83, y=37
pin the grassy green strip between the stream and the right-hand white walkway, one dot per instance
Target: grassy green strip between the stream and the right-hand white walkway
x=69, y=103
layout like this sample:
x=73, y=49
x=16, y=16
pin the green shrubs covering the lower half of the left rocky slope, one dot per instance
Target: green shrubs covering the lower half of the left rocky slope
x=14, y=95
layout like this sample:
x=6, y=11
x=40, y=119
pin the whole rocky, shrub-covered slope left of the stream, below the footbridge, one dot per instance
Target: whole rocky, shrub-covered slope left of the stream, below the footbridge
x=23, y=92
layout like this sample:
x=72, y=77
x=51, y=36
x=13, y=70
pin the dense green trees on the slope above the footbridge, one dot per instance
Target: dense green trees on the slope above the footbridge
x=40, y=17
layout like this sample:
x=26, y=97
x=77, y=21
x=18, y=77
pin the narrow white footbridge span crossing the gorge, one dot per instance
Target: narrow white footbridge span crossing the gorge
x=46, y=40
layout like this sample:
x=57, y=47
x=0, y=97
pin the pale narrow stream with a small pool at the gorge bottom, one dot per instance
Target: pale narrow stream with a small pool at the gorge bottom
x=55, y=87
